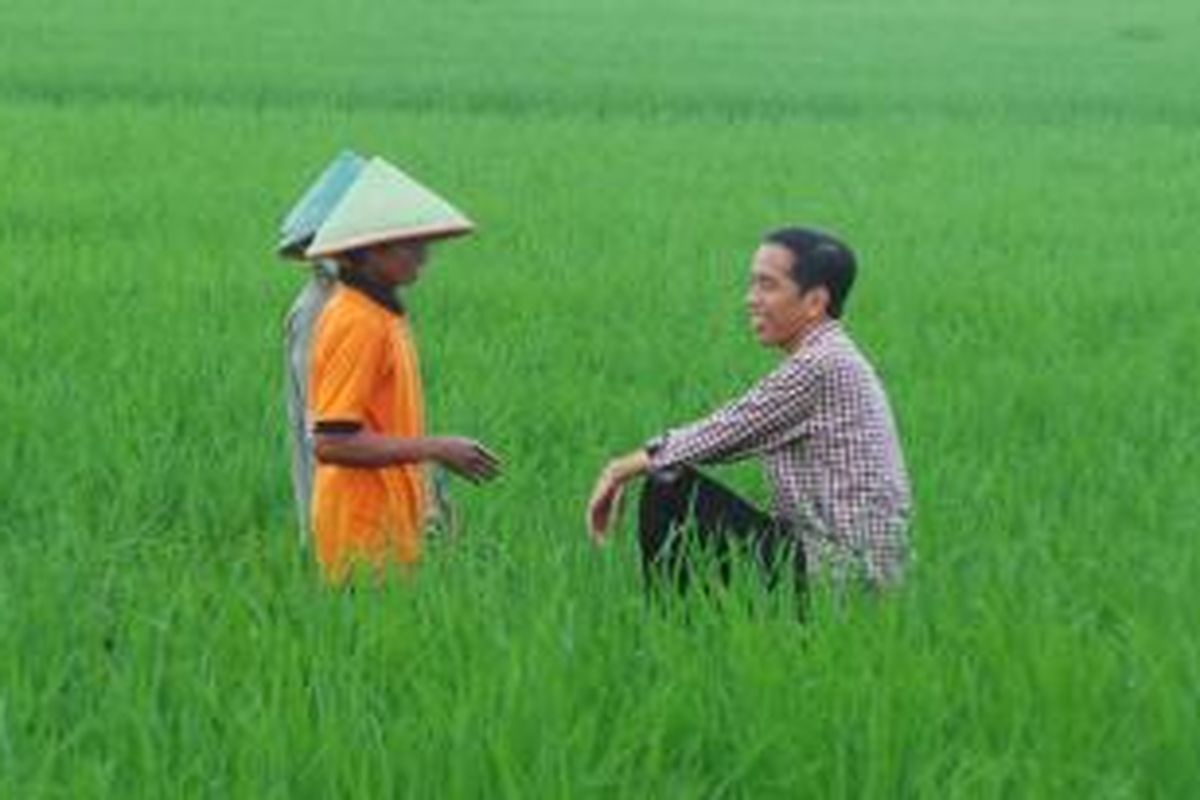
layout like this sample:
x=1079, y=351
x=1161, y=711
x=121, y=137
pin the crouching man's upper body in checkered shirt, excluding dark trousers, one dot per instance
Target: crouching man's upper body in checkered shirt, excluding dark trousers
x=820, y=422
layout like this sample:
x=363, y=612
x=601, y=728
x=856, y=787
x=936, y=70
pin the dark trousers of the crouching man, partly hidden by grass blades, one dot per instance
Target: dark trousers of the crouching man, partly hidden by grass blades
x=686, y=519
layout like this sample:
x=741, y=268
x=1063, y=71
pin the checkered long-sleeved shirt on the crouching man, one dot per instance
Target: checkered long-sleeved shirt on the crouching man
x=824, y=429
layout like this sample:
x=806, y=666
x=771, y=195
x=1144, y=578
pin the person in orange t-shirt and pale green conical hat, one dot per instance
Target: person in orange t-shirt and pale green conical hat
x=367, y=406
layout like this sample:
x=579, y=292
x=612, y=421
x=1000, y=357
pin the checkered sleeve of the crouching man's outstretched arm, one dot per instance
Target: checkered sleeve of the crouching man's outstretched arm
x=771, y=414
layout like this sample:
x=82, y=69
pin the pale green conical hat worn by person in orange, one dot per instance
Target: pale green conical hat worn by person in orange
x=385, y=204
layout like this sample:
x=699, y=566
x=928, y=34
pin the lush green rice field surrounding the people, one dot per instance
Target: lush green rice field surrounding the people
x=1022, y=183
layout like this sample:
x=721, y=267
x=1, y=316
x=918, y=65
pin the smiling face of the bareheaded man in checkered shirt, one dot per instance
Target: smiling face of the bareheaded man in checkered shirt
x=781, y=314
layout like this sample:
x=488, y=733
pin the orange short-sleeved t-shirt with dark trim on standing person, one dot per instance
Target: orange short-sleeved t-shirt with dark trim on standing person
x=365, y=371
